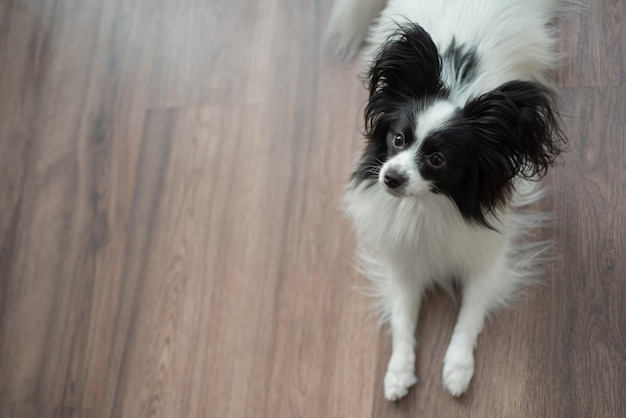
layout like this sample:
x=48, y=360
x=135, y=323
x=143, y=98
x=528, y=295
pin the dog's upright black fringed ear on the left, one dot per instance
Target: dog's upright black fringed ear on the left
x=406, y=67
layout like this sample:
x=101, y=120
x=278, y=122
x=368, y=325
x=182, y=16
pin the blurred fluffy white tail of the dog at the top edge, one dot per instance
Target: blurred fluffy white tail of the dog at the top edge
x=348, y=25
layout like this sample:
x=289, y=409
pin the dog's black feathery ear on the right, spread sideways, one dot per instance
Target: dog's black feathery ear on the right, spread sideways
x=514, y=132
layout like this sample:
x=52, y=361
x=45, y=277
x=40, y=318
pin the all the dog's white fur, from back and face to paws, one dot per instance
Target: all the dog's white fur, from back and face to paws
x=412, y=243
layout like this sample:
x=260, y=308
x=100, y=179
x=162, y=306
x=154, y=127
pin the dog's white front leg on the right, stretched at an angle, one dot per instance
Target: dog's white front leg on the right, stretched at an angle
x=480, y=296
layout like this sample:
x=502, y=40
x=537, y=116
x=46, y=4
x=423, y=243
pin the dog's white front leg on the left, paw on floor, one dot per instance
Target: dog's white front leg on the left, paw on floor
x=404, y=301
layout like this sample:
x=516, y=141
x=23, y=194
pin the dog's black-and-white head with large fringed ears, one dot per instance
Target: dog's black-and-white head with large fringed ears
x=420, y=142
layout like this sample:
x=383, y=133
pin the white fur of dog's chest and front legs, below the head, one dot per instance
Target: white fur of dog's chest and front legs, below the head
x=409, y=245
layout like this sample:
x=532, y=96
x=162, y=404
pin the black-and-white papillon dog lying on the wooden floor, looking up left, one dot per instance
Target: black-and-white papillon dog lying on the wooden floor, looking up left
x=460, y=124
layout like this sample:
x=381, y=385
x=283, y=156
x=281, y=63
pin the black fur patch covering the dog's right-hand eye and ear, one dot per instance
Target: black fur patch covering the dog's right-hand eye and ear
x=511, y=131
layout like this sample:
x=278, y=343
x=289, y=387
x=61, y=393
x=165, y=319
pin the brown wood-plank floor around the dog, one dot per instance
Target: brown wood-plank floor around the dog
x=171, y=235
